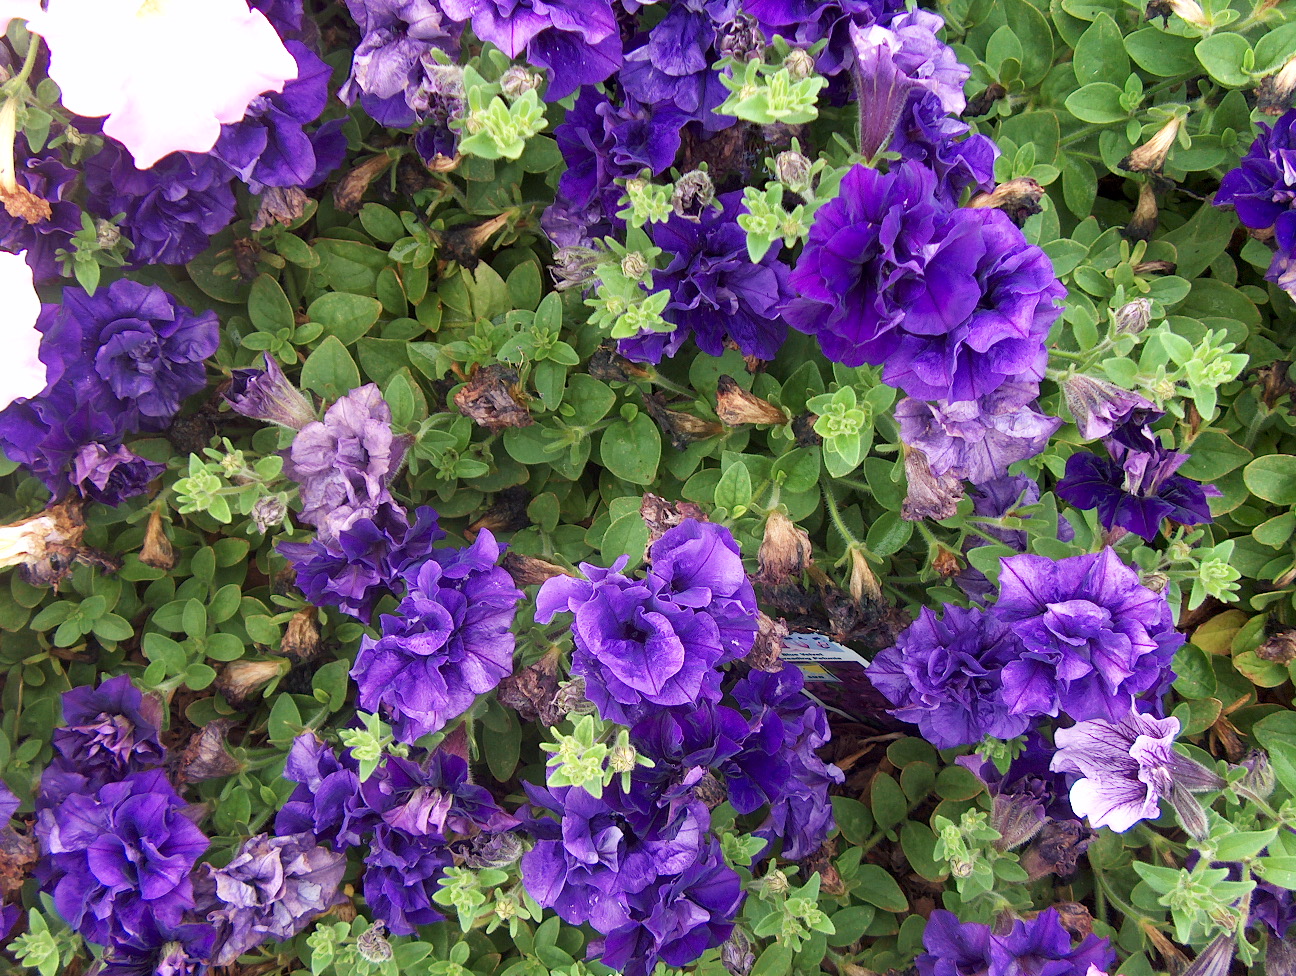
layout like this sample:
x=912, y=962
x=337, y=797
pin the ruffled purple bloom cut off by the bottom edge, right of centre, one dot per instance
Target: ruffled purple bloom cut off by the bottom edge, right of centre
x=1037, y=947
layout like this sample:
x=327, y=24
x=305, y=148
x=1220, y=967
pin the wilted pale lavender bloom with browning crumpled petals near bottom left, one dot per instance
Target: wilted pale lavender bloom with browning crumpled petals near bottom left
x=272, y=890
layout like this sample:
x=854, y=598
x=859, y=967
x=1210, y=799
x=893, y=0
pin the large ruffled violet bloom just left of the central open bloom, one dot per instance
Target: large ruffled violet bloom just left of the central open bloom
x=449, y=642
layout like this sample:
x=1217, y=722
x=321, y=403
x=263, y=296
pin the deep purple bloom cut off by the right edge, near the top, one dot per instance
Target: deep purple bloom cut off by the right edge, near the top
x=1263, y=191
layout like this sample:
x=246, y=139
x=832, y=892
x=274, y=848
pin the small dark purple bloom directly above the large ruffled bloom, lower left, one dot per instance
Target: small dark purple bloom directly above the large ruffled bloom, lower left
x=111, y=732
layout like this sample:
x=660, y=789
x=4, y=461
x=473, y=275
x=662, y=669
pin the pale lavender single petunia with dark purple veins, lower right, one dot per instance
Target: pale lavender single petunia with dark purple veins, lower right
x=1127, y=768
